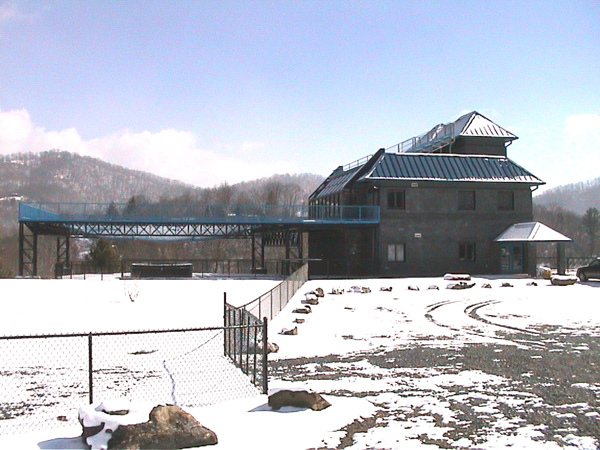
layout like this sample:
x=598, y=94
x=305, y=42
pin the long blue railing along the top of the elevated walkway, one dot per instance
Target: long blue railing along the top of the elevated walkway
x=194, y=213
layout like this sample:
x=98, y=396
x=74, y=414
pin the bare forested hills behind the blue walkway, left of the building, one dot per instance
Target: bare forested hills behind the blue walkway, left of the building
x=57, y=176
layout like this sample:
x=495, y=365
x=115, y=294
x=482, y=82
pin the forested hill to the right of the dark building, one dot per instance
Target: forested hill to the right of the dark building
x=576, y=197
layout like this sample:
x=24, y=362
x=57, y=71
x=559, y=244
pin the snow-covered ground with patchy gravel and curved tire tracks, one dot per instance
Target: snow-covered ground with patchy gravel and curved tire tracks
x=428, y=368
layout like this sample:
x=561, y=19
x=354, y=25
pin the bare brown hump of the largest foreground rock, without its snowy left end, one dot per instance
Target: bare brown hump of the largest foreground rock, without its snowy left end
x=169, y=427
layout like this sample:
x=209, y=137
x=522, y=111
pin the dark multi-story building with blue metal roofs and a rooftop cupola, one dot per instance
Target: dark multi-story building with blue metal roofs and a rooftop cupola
x=446, y=199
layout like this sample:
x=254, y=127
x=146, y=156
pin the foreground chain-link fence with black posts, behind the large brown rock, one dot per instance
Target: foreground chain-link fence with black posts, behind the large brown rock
x=45, y=379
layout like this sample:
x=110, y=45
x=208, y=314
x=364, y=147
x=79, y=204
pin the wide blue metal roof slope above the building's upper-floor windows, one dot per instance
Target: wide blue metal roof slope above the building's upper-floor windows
x=448, y=167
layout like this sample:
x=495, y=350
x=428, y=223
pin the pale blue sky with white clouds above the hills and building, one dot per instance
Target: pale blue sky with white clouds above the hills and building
x=209, y=92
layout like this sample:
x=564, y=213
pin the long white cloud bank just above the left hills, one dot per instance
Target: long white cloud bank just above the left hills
x=168, y=153
